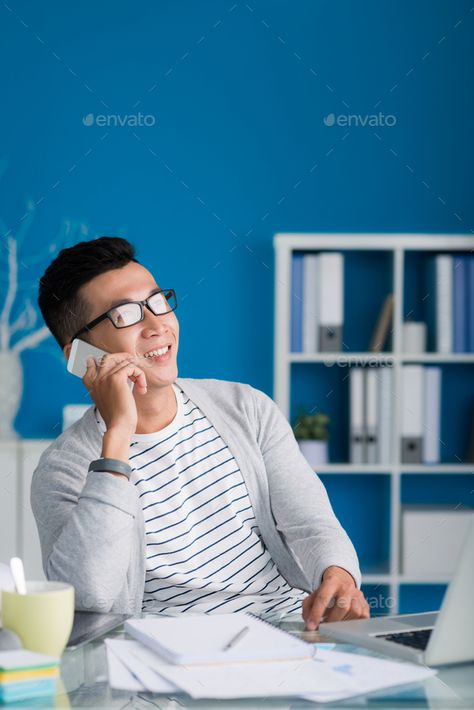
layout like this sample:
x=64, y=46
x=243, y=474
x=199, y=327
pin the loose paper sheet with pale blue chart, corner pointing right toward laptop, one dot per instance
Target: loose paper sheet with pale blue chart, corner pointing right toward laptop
x=365, y=674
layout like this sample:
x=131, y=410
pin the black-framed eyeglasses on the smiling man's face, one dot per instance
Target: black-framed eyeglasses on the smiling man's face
x=126, y=314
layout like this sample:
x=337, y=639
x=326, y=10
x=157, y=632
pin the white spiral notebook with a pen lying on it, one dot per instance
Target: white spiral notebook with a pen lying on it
x=202, y=638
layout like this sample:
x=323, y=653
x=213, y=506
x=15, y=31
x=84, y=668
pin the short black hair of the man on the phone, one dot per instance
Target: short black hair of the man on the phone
x=63, y=308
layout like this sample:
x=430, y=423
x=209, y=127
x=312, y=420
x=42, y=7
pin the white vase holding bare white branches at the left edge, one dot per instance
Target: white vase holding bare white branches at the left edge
x=11, y=388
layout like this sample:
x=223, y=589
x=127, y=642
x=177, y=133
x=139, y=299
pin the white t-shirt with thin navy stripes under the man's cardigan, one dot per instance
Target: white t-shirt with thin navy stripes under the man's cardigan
x=203, y=546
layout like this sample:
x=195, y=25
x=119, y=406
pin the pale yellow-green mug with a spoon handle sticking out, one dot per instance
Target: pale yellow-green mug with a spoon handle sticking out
x=42, y=617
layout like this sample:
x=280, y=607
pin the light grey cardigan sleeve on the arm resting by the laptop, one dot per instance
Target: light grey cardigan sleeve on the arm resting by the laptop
x=298, y=498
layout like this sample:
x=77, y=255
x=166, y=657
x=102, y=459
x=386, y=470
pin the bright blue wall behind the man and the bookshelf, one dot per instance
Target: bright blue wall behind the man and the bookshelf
x=238, y=93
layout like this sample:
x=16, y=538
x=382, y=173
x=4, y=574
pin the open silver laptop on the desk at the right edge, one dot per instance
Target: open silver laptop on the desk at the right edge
x=431, y=638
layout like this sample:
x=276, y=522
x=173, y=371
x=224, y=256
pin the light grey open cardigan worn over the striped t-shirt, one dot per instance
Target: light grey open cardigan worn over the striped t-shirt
x=91, y=525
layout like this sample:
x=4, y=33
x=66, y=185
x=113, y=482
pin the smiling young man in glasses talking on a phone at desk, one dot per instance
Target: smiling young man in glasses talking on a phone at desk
x=183, y=494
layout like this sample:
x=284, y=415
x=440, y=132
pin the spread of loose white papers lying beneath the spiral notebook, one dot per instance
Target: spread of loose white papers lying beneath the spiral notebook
x=330, y=676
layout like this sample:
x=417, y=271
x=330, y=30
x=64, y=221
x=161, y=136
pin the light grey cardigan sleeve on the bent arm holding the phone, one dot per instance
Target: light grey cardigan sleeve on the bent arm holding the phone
x=85, y=526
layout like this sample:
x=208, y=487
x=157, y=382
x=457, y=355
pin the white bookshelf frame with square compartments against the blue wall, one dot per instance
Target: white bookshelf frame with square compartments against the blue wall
x=398, y=245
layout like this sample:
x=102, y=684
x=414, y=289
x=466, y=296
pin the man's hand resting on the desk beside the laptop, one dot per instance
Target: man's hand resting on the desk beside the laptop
x=337, y=598
